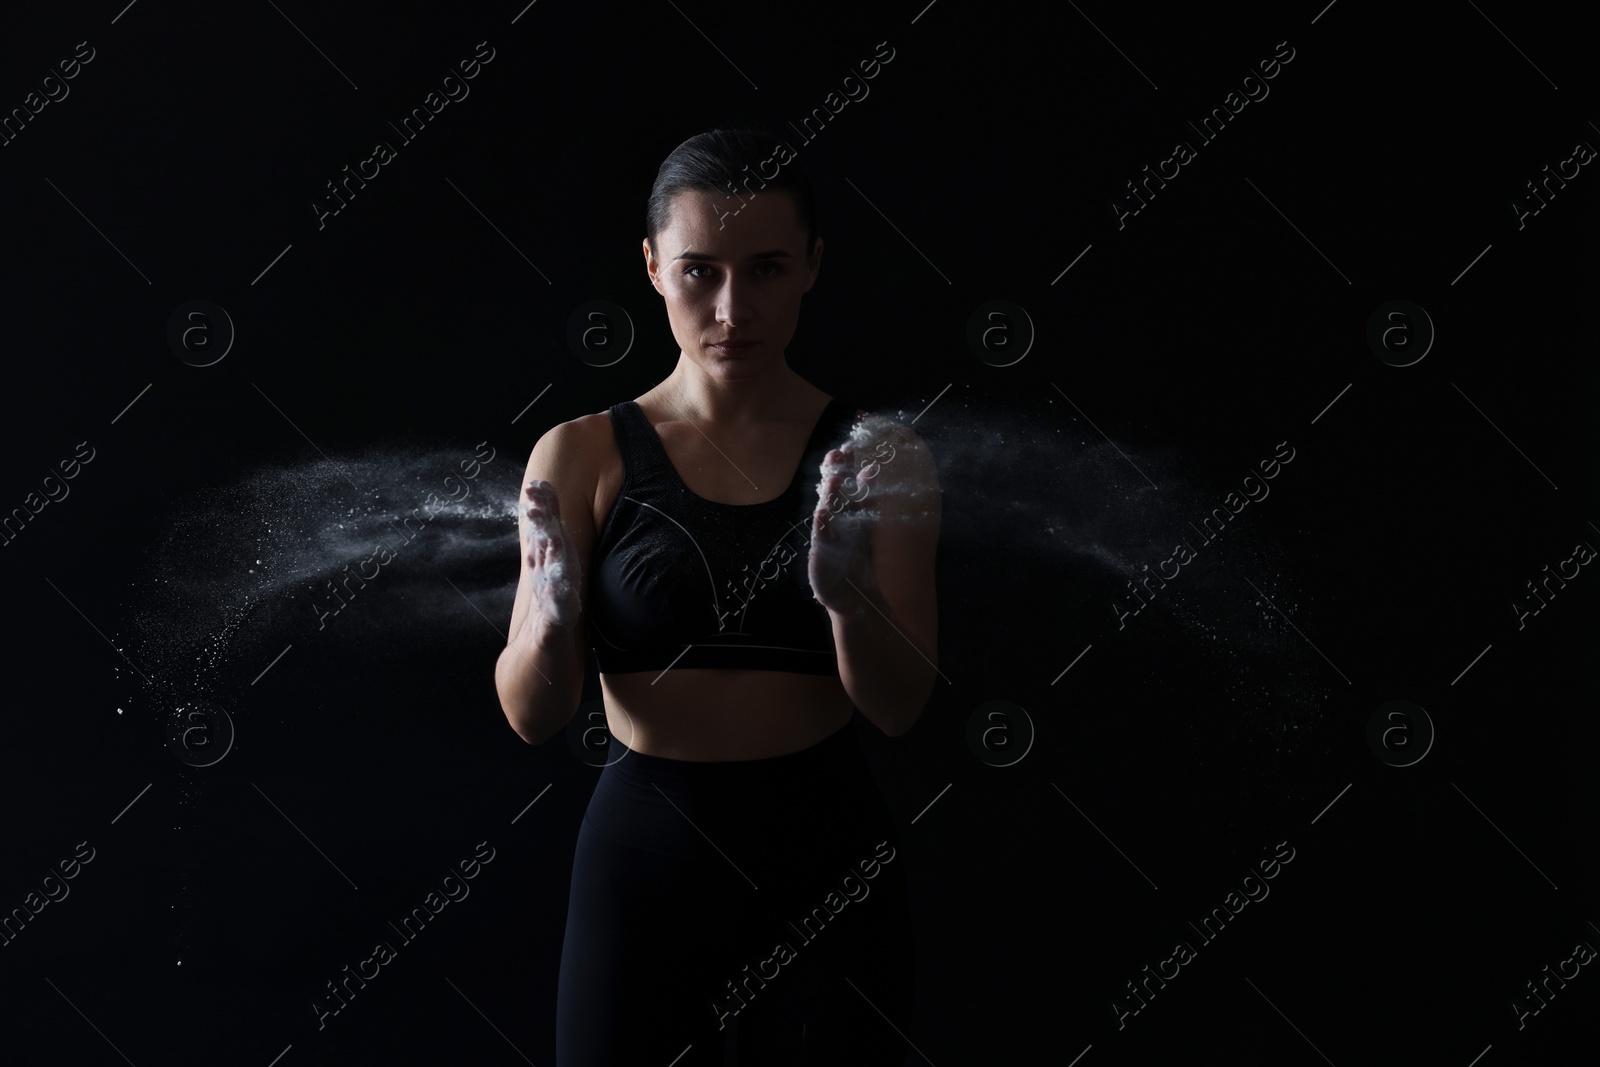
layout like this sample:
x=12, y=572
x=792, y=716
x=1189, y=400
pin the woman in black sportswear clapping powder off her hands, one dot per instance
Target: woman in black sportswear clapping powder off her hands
x=735, y=879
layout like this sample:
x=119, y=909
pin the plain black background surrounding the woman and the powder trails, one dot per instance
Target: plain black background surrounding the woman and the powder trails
x=1220, y=321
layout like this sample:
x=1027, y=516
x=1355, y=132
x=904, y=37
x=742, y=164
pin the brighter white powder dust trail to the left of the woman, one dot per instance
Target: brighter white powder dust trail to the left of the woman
x=263, y=562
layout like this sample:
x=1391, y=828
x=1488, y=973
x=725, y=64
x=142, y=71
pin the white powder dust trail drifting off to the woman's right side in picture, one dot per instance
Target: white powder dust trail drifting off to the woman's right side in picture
x=1062, y=519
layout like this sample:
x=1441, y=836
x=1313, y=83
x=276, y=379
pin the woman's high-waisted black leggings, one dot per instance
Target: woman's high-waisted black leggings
x=751, y=906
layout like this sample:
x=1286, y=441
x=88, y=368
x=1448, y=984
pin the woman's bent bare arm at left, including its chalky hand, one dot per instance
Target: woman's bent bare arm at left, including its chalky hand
x=540, y=676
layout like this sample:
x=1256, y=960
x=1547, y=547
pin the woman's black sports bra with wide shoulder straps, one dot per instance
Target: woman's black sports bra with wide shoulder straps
x=681, y=581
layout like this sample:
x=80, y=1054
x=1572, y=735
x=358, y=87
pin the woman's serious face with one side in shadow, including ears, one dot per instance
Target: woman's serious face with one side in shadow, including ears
x=730, y=271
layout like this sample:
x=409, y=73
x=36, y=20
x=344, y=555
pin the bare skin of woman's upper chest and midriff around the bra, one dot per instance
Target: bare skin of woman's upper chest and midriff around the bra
x=718, y=714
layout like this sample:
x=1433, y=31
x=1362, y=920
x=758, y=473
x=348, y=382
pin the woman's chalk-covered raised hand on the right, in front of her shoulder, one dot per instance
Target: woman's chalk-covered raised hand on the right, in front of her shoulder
x=841, y=564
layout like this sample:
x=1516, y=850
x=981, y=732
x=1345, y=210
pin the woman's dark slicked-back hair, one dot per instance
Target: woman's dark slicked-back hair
x=724, y=161
